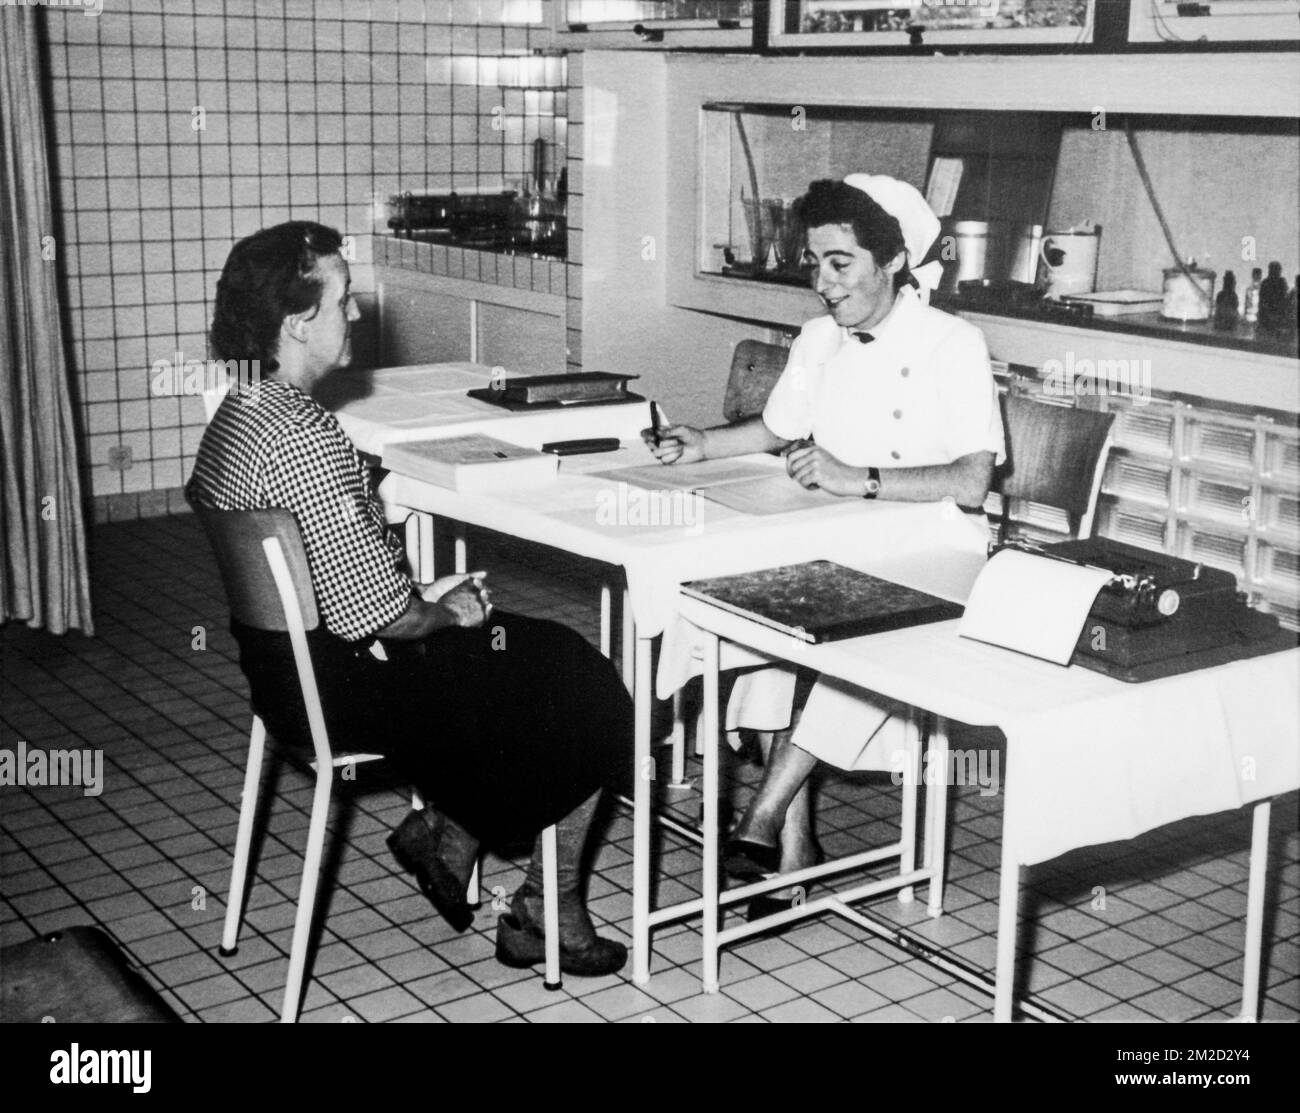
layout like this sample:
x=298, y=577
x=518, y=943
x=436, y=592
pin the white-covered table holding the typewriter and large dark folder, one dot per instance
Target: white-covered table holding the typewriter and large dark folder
x=1089, y=760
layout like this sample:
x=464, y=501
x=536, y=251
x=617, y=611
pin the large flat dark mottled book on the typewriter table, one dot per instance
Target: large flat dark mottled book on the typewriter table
x=822, y=601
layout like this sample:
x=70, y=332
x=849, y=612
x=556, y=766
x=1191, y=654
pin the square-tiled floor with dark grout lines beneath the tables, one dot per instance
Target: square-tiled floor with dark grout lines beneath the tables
x=1143, y=930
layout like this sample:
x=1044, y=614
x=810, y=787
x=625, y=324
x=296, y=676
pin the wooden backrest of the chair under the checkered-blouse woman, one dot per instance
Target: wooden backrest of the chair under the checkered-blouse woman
x=239, y=539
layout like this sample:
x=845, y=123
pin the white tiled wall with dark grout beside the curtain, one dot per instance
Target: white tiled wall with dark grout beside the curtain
x=181, y=127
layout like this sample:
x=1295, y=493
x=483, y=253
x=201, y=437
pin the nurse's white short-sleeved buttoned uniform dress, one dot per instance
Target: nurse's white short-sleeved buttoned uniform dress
x=921, y=393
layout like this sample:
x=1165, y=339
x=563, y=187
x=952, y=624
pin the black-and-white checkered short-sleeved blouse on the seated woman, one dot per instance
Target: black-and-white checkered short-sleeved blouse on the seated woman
x=274, y=447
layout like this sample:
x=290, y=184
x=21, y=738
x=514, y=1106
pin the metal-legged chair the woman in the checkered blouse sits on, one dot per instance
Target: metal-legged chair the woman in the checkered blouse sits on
x=270, y=587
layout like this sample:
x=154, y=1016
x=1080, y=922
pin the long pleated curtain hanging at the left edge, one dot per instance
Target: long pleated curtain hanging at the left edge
x=44, y=571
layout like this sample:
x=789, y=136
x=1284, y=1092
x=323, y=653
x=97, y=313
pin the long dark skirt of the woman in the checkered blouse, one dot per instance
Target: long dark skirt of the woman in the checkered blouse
x=506, y=727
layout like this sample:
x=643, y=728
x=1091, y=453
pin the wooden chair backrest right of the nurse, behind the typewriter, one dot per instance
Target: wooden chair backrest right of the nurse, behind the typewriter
x=1055, y=458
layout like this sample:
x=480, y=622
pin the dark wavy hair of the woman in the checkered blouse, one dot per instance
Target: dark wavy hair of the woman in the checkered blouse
x=270, y=276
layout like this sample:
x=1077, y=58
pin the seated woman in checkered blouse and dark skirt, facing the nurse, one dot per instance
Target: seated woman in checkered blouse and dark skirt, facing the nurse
x=506, y=729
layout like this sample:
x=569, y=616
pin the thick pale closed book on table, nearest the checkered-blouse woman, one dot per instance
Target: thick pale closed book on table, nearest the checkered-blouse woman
x=474, y=462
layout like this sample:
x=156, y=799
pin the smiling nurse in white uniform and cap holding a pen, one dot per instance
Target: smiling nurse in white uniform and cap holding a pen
x=883, y=397
